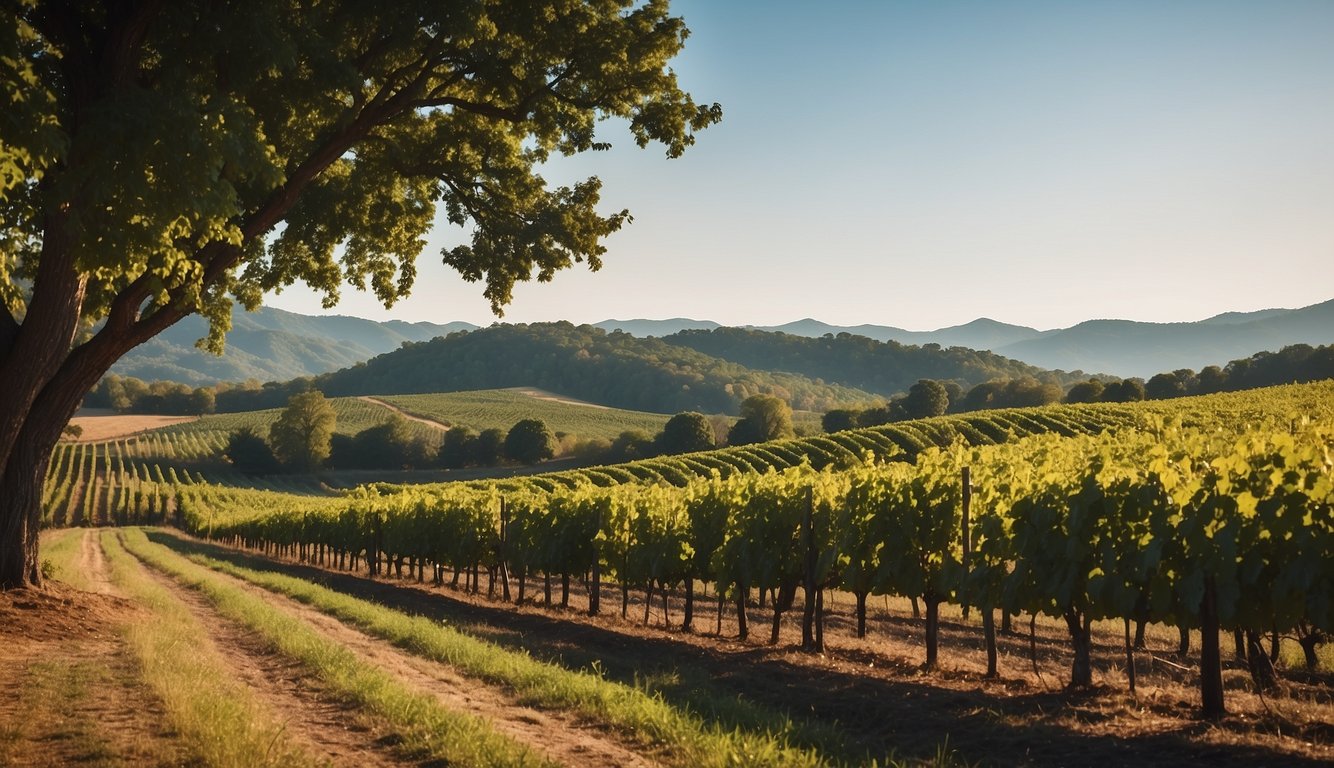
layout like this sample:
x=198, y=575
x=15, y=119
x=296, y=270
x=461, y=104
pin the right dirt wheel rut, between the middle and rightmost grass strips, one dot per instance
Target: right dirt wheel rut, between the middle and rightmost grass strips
x=554, y=735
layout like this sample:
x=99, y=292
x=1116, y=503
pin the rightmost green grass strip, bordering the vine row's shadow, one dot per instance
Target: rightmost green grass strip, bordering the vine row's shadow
x=646, y=717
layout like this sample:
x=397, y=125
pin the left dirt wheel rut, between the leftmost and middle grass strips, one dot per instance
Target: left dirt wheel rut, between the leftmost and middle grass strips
x=313, y=718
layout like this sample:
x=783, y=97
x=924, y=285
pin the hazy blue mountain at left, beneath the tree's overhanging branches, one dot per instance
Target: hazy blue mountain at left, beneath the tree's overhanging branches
x=273, y=346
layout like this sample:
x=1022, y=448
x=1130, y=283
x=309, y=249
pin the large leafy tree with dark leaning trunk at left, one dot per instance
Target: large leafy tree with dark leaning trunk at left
x=161, y=159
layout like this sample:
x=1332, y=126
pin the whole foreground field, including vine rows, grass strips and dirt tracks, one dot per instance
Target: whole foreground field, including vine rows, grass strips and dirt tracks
x=545, y=621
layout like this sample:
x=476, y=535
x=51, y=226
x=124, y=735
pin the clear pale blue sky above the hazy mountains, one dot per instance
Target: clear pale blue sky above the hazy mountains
x=926, y=163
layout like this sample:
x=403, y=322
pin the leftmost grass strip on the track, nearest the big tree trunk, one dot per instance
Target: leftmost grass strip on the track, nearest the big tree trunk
x=218, y=718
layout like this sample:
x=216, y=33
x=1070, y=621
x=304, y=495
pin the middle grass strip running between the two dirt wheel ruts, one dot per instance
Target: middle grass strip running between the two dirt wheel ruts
x=425, y=725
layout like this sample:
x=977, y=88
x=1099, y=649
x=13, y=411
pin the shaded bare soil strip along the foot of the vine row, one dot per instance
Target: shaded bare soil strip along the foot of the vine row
x=884, y=702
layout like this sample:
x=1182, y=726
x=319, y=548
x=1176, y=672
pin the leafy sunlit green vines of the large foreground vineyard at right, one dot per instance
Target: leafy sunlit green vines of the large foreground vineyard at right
x=1216, y=518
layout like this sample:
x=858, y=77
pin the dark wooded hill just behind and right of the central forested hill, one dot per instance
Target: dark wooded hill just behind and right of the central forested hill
x=881, y=367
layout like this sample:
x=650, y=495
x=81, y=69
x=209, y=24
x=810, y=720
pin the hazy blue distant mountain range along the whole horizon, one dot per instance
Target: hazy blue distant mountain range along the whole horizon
x=277, y=346
